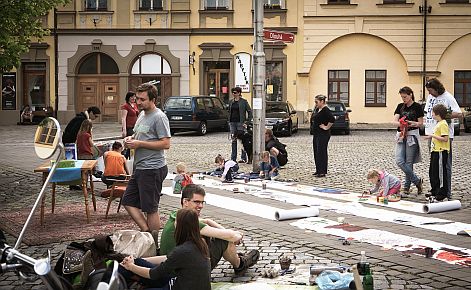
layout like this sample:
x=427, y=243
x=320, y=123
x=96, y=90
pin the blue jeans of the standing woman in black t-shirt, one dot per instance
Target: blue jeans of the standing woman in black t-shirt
x=405, y=156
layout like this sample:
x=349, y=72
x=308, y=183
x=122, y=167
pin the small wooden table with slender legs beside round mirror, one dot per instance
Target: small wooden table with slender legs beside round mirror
x=86, y=172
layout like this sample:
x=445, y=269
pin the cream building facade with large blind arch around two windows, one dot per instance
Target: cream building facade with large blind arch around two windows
x=363, y=52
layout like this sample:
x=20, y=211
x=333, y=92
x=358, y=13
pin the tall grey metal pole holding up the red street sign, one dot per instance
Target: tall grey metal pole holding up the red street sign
x=258, y=100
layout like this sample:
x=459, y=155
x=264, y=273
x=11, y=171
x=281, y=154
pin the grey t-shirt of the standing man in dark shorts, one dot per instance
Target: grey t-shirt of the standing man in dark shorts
x=150, y=127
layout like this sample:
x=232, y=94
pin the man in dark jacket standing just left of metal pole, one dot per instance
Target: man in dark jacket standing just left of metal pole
x=239, y=113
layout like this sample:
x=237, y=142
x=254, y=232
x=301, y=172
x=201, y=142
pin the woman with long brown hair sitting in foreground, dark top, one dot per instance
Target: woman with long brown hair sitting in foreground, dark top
x=189, y=260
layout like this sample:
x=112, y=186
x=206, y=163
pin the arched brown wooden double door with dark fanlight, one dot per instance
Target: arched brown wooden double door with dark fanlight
x=98, y=85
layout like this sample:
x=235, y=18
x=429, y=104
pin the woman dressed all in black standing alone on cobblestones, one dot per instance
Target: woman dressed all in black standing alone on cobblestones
x=321, y=121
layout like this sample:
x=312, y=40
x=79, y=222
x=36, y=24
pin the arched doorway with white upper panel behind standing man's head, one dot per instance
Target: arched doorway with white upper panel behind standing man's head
x=152, y=67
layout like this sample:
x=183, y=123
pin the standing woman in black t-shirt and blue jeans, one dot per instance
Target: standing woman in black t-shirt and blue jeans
x=408, y=117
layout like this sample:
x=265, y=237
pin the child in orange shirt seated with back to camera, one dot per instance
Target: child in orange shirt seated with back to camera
x=115, y=164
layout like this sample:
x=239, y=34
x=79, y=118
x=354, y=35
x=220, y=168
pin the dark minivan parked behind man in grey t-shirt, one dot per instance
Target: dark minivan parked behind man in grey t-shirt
x=196, y=113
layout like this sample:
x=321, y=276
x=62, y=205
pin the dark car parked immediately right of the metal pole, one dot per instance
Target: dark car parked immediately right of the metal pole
x=281, y=117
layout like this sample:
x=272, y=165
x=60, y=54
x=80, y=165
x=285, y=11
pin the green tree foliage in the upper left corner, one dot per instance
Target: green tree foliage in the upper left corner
x=19, y=22
